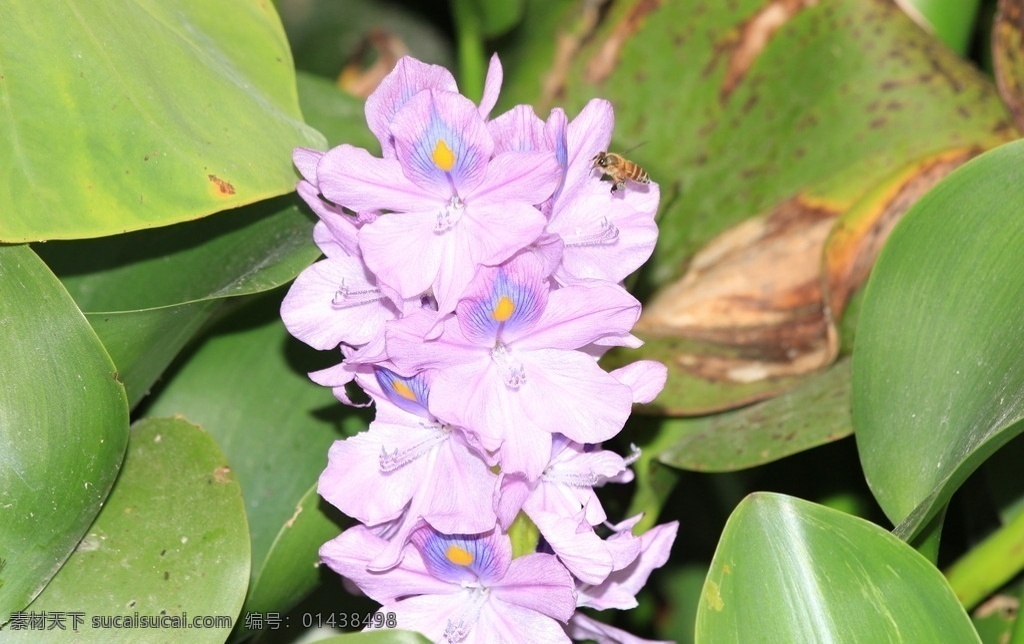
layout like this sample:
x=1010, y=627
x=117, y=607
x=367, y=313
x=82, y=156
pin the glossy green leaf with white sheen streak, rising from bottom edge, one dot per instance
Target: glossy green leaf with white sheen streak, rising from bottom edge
x=789, y=571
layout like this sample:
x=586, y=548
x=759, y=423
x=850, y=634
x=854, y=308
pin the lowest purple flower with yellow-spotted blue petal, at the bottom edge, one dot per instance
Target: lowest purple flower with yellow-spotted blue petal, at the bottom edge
x=462, y=588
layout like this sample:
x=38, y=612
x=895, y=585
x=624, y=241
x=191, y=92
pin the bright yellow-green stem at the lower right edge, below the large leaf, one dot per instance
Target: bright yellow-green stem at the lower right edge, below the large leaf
x=991, y=565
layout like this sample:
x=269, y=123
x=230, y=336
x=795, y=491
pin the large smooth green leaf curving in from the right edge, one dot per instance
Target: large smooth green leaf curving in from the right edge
x=938, y=381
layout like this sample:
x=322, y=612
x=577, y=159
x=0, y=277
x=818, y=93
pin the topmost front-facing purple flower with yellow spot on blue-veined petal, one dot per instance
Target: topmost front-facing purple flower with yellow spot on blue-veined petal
x=453, y=206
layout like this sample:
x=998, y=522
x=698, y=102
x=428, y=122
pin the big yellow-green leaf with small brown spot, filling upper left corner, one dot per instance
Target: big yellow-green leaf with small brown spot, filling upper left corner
x=135, y=114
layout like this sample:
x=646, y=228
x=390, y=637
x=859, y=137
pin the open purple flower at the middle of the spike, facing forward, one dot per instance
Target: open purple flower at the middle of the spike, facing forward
x=506, y=367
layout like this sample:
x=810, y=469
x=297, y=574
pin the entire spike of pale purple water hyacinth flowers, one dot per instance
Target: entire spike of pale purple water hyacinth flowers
x=472, y=280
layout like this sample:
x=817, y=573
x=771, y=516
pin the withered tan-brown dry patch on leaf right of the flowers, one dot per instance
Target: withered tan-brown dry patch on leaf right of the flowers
x=755, y=292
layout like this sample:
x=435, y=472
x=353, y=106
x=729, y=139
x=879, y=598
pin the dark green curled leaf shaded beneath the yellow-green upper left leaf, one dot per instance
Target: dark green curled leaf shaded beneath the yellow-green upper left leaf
x=148, y=292
